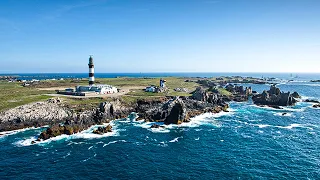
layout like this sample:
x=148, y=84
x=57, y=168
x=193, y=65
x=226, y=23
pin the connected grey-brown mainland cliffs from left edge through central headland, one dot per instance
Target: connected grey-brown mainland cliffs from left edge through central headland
x=61, y=120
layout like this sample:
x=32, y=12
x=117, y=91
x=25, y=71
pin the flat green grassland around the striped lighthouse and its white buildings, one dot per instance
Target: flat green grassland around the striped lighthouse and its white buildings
x=13, y=94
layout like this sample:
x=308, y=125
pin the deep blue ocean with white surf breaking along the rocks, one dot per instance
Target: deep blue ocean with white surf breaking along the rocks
x=249, y=142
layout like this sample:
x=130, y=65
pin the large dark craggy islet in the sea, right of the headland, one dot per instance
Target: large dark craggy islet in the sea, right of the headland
x=274, y=97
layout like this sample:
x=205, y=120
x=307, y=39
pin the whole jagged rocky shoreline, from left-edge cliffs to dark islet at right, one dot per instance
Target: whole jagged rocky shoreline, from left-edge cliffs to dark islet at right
x=169, y=110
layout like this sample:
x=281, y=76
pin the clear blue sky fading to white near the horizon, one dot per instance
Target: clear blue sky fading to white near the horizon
x=160, y=35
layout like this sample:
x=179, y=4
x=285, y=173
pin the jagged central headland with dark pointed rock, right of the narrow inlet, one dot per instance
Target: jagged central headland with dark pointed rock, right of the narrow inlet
x=176, y=110
